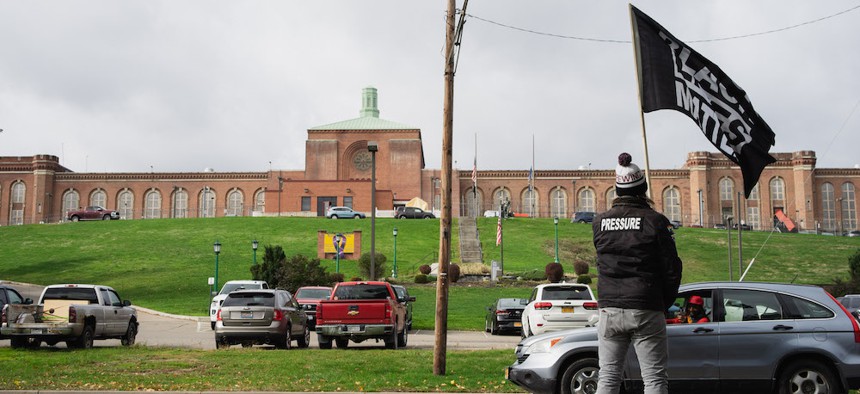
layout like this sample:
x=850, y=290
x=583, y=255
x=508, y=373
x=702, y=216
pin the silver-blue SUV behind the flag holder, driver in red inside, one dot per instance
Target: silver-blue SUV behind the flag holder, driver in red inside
x=762, y=338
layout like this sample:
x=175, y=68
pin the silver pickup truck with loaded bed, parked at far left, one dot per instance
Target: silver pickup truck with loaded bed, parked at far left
x=76, y=314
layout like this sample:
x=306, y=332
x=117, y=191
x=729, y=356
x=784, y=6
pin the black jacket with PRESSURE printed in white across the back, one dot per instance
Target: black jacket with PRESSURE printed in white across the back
x=637, y=263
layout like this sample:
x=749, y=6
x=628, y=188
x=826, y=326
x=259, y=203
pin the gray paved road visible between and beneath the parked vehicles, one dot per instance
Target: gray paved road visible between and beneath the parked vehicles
x=164, y=330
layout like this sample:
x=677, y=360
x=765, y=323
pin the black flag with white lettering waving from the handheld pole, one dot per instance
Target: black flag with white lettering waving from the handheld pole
x=674, y=76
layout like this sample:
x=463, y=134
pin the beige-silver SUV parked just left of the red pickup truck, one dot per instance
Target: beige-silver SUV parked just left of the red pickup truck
x=261, y=317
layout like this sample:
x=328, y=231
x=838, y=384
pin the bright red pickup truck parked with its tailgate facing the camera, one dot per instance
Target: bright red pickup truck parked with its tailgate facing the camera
x=358, y=311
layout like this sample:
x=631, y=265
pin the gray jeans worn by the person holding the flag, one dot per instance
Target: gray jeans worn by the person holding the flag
x=646, y=330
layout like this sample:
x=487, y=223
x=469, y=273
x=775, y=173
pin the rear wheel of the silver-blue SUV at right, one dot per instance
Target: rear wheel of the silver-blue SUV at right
x=807, y=376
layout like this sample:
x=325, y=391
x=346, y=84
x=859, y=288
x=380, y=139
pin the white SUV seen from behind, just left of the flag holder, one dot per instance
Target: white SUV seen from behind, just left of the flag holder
x=559, y=306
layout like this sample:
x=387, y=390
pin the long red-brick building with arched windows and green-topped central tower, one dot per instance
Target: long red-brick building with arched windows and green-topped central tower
x=36, y=189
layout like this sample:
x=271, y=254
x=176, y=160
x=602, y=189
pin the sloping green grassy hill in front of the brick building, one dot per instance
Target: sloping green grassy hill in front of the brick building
x=164, y=264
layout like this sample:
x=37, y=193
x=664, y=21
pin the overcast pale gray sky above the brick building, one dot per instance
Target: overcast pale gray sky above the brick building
x=179, y=86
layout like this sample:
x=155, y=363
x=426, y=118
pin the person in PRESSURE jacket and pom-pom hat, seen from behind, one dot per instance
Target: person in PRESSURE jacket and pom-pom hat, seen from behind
x=638, y=277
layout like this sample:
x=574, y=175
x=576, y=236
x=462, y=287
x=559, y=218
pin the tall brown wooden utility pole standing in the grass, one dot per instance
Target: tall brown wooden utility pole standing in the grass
x=441, y=332
